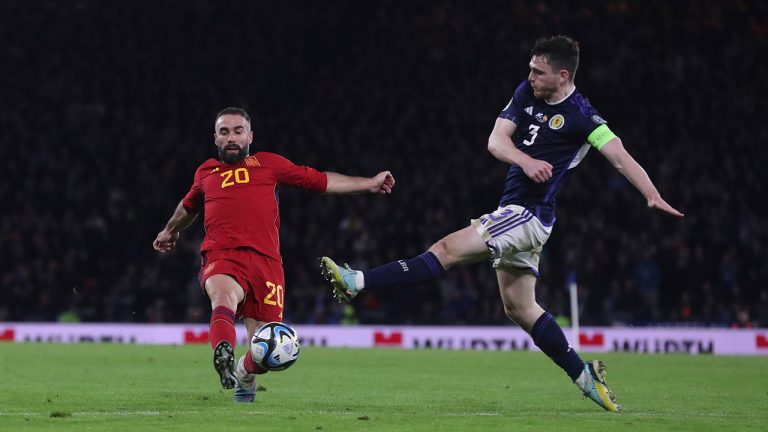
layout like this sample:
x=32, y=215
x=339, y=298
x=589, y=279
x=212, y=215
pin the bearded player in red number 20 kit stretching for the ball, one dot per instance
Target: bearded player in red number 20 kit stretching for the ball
x=242, y=270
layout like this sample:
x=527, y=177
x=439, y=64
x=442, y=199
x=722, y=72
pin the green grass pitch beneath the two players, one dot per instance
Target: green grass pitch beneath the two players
x=82, y=387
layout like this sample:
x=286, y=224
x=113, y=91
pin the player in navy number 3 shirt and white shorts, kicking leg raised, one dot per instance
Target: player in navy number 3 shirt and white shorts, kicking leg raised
x=545, y=131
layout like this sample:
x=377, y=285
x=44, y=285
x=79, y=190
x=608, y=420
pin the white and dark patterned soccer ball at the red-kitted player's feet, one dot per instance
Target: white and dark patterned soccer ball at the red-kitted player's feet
x=275, y=346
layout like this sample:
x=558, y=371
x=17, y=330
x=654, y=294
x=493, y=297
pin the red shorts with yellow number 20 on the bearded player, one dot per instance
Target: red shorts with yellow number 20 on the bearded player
x=260, y=276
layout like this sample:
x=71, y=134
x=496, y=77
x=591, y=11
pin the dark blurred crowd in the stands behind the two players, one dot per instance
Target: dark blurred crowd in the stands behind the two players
x=108, y=108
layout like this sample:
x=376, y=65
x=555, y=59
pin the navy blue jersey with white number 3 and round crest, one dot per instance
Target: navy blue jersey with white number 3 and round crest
x=555, y=133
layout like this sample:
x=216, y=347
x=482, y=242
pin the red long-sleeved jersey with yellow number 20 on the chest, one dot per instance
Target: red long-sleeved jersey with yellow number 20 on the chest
x=240, y=200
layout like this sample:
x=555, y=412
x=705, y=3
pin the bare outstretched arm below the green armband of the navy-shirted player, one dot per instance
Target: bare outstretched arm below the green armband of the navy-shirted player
x=618, y=156
